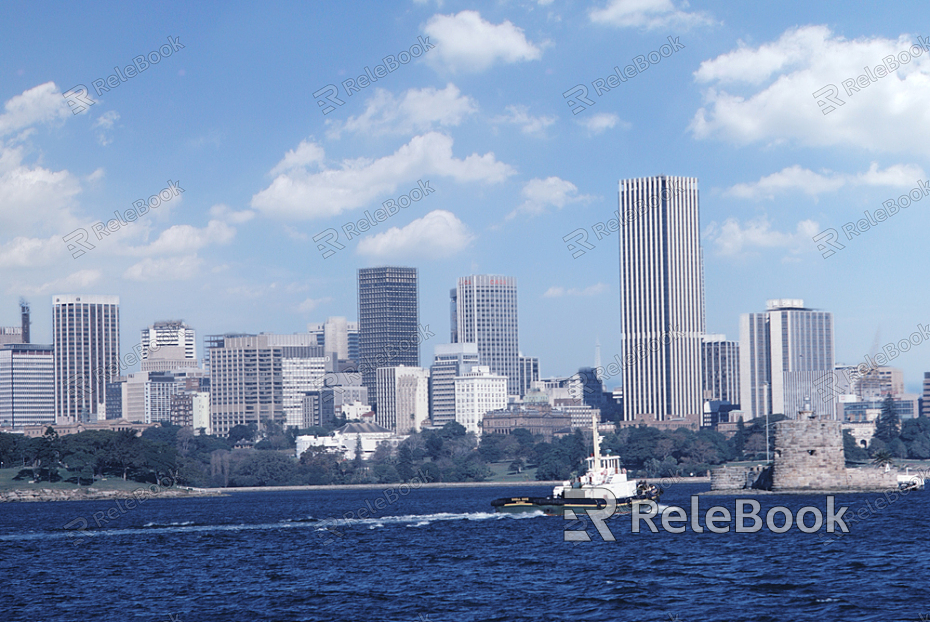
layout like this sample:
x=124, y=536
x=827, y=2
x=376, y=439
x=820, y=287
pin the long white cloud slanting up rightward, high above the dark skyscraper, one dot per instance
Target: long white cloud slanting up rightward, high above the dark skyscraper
x=302, y=195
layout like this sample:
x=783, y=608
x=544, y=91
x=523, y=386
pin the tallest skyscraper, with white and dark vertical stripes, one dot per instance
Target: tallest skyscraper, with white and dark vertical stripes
x=661, y=296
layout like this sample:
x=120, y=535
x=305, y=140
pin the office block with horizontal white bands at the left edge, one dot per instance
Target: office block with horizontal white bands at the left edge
x=27, y=385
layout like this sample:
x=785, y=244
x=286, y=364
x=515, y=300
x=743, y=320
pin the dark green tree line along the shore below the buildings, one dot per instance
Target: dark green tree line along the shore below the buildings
x=449, y=454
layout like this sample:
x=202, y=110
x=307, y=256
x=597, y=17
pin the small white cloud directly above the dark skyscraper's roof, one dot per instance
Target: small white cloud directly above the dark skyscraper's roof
x=436, y=235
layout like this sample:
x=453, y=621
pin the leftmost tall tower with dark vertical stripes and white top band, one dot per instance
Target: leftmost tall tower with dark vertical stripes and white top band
x=85, y=330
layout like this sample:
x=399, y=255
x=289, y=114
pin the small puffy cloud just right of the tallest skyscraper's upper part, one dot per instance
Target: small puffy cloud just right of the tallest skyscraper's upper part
x=735, y=240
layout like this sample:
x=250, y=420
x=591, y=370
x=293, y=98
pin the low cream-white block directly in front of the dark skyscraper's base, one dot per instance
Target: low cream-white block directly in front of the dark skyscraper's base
x=403, y=398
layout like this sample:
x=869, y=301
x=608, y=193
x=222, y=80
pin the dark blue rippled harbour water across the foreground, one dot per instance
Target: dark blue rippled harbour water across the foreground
x=440, y=555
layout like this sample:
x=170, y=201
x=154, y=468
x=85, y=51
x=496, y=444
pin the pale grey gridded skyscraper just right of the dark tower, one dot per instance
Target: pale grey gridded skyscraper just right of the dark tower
x=485, y=313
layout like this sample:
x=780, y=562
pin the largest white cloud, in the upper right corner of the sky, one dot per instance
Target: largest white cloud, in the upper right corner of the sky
x=765, y=94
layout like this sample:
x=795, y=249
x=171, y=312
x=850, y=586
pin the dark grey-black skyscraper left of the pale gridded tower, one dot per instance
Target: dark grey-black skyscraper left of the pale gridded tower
x=387, y=321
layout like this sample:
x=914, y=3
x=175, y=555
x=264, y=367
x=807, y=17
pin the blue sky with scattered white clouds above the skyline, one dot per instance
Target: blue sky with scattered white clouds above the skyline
x=232, y=119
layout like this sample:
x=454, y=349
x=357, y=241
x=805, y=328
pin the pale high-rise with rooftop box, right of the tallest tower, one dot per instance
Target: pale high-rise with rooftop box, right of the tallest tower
x=784, y=352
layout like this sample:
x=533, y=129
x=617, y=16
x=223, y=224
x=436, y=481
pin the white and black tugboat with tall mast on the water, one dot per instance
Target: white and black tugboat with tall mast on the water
x=588, y=491
